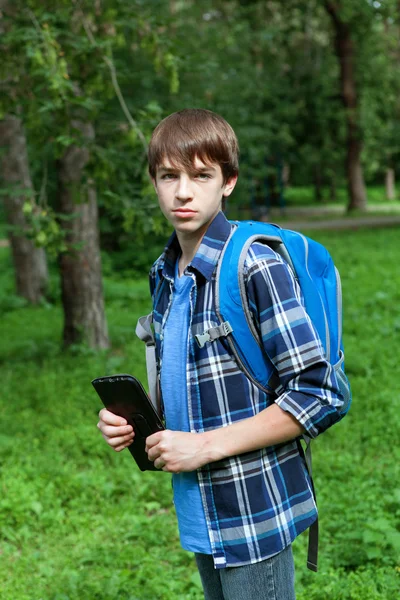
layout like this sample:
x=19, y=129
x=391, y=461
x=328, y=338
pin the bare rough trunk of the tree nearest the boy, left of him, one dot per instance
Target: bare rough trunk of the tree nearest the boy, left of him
x=80, y=267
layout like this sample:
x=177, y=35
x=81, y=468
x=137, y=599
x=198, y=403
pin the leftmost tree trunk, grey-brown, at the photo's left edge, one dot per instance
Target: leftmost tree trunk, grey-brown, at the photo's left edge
x=30, y=265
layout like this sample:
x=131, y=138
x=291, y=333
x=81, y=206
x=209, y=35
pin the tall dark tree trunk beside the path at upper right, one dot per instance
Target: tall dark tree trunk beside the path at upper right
x=344, y=48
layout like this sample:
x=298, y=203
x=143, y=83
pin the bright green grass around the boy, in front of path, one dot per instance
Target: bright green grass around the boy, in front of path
x=79, y=522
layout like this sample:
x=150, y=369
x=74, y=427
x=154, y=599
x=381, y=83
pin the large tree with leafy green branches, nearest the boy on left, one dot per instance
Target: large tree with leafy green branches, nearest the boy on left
x=64, y=77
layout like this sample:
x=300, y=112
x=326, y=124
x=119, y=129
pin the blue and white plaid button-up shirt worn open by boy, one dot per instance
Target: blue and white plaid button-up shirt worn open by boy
x=255, y=503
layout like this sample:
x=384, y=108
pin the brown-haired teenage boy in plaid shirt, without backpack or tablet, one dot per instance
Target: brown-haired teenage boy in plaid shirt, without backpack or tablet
x=241, y=488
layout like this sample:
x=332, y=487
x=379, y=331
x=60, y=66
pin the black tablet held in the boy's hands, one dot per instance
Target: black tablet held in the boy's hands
x=125, y=396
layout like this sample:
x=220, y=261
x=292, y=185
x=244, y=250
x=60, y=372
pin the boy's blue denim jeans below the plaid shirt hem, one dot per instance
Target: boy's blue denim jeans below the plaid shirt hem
x=271, y=579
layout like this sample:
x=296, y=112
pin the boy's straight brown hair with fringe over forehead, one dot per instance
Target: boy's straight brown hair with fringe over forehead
x=191, y=133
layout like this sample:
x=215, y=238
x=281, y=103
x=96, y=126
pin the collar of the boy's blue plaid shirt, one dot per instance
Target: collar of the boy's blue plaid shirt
x=207, y=255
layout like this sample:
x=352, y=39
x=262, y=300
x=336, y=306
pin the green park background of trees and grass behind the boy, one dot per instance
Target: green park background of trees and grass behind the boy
x=312, y=90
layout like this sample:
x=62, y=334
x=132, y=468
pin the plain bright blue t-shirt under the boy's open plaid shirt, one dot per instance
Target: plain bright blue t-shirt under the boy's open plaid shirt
x=187, y=499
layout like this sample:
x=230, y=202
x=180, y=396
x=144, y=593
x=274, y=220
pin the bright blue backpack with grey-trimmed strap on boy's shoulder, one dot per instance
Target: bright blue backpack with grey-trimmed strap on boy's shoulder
x=319, y=281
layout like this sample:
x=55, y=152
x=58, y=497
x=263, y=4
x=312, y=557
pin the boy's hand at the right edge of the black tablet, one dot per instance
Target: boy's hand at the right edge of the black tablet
x=177, y=451
